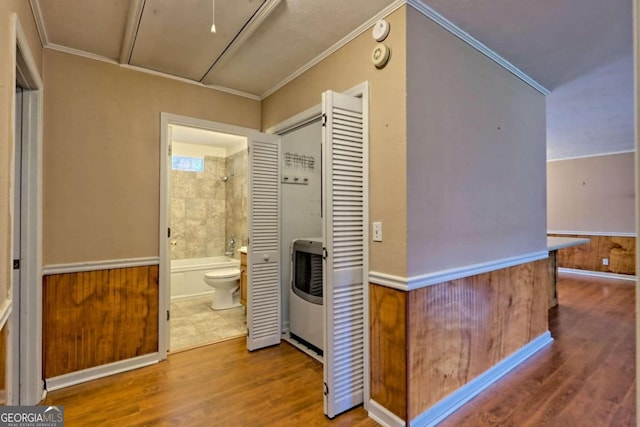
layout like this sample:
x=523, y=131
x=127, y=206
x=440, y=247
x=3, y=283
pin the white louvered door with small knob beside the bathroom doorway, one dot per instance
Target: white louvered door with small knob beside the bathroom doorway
x=263, y=269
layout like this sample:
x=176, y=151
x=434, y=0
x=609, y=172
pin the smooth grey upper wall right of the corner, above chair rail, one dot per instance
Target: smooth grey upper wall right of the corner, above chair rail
x=476, y=152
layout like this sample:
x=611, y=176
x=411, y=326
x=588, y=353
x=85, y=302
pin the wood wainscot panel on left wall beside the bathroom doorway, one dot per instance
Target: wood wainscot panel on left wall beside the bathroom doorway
x=98, y=317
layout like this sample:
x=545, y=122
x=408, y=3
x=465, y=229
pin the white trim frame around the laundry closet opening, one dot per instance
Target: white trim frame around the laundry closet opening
x=359, y=91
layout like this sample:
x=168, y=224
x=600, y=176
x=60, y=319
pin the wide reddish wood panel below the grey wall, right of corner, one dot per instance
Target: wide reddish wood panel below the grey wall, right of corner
x=460, y=329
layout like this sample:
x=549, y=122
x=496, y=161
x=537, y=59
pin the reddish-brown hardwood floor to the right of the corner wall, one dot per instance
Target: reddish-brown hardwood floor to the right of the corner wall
x=585, y=378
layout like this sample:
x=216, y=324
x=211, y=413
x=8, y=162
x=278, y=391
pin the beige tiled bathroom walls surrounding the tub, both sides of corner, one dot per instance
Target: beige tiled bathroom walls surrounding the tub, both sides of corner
x=205, y=211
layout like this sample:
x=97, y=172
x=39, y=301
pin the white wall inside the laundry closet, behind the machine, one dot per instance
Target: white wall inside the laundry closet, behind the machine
x=301, y=205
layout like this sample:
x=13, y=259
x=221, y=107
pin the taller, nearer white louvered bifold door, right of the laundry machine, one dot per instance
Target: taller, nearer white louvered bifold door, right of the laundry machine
x=344, y=232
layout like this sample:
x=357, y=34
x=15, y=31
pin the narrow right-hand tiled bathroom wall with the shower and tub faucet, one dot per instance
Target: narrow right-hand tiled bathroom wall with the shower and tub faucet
x=237, y=192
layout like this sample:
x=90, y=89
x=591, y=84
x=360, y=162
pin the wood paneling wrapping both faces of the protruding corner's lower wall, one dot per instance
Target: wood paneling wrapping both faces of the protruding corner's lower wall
x=427, y=343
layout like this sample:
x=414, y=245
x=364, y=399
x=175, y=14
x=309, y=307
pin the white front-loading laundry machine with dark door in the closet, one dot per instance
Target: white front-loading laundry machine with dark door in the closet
x=306, y=308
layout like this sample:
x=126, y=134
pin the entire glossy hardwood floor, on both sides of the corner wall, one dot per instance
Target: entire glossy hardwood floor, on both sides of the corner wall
x=585, y=378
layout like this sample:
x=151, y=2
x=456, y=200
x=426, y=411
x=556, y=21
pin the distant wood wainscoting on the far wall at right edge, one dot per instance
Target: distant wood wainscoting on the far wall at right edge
x=620, y=251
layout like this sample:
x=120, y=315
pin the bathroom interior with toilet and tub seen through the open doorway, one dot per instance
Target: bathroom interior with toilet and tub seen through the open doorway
x=208, y=186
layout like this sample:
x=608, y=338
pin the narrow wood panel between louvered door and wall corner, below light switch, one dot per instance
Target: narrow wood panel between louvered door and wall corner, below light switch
x=389, y=348
